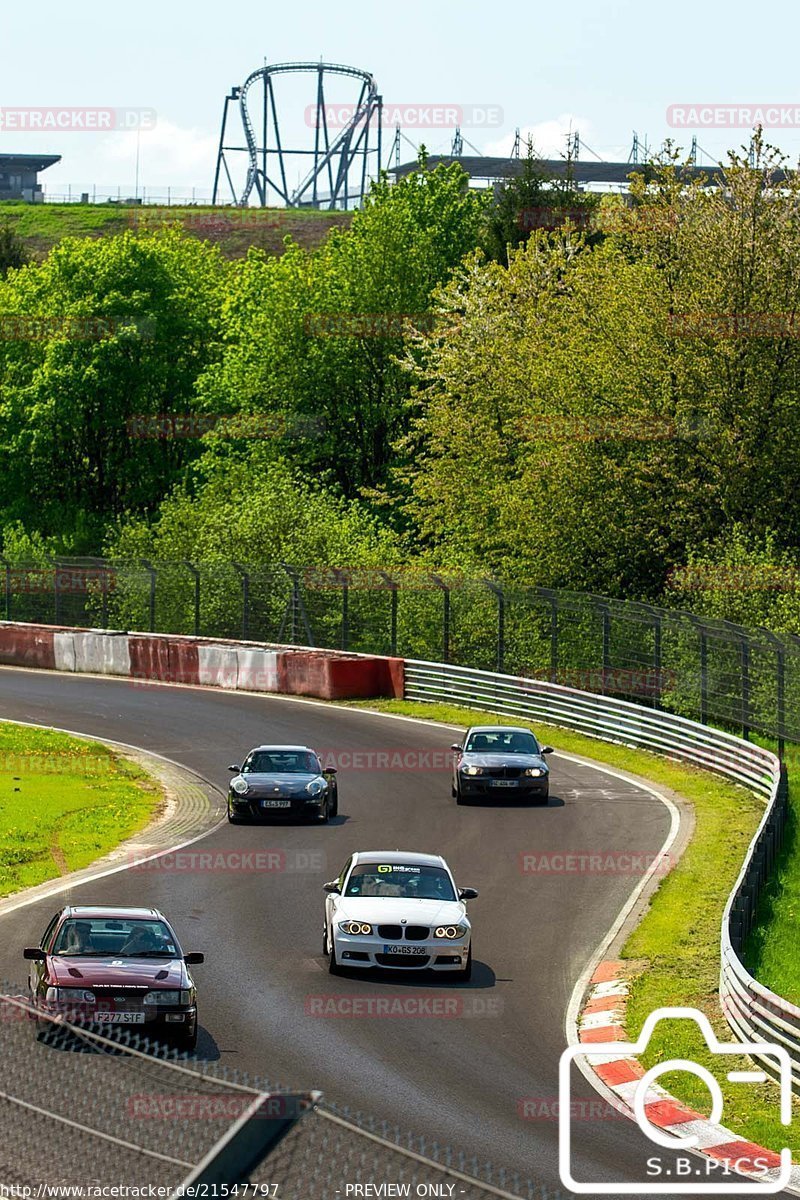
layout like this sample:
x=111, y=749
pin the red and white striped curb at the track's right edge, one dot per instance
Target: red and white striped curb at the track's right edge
x=603, y=1021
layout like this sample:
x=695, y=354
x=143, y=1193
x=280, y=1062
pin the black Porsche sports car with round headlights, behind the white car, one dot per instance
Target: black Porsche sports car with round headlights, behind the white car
x=282, y=782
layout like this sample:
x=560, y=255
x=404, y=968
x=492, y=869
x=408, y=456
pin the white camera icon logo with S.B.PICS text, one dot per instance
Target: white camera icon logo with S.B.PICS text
x=691, y=1168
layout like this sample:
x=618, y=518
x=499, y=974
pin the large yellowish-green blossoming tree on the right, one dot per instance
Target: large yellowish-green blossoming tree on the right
x=585, y=419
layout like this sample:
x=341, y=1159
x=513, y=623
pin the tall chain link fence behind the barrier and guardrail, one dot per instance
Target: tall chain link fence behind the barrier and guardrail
x=743, y=680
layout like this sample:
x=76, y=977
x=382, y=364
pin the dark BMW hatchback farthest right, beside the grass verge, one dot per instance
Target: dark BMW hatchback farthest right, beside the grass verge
x=501, y=761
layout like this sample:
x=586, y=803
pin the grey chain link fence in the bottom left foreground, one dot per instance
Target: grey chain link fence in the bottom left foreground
x=86, y=1108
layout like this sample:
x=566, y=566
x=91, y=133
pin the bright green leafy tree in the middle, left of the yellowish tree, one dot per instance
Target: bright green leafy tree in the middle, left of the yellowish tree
x=299, y=333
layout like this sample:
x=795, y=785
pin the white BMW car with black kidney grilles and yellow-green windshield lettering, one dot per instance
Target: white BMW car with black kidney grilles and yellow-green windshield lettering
x=398, y=911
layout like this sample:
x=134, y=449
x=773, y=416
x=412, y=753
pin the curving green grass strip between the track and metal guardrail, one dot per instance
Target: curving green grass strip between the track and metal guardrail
x=675, y=952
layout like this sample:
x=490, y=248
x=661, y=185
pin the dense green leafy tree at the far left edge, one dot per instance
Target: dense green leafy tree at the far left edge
x=106, y=332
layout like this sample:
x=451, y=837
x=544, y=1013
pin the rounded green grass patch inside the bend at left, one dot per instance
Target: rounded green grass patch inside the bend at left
x=64, y=803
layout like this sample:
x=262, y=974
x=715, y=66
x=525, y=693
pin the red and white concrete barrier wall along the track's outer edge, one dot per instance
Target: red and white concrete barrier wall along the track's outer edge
x=164, y=658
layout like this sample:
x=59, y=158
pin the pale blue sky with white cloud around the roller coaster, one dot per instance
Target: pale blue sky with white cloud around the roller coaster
x=599, y=68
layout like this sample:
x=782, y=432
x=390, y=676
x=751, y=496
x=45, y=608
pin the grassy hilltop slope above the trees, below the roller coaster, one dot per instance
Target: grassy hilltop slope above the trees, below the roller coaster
x=41, y=226
